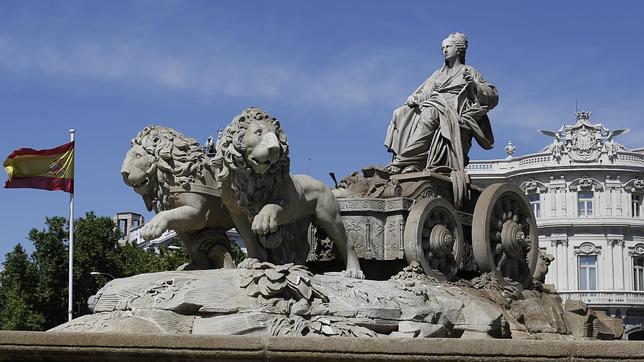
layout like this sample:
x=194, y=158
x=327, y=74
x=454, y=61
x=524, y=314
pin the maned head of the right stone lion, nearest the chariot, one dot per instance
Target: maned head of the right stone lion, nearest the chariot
x=252, y=157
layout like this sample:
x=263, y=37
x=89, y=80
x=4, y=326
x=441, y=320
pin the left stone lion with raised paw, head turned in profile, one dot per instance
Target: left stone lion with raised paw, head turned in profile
x=173, y=175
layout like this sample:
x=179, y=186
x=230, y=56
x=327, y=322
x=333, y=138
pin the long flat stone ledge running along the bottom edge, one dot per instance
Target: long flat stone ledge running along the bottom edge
x=97, y=347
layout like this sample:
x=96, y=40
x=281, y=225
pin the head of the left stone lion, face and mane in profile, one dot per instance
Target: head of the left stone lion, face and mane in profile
x=159, y=159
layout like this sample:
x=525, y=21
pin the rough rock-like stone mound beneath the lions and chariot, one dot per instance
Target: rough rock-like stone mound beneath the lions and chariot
x=287, y=300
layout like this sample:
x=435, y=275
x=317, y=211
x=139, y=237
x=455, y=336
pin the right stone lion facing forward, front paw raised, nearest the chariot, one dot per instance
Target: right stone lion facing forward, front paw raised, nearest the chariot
x=272, y=209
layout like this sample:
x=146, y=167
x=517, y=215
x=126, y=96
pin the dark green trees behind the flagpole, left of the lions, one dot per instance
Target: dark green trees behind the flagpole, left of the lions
x=33, y=288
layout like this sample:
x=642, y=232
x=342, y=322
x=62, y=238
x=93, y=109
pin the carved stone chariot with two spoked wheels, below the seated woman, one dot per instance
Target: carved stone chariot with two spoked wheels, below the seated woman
x=412, y=217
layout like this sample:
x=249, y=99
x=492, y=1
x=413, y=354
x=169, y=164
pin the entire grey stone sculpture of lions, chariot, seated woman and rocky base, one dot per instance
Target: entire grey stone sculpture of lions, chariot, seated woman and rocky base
x=487, y=285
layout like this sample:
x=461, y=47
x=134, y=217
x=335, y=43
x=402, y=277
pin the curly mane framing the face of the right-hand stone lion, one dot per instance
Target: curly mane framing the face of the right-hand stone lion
x=251, y=190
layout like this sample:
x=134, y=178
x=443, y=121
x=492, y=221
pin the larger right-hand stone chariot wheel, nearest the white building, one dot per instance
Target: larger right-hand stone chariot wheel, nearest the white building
x=504, y=234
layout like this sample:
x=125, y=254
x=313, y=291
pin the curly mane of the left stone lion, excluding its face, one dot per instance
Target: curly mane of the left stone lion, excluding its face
x=179, y=160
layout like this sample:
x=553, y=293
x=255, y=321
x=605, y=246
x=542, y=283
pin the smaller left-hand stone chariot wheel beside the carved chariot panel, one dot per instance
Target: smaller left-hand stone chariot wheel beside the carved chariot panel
x=433, y=237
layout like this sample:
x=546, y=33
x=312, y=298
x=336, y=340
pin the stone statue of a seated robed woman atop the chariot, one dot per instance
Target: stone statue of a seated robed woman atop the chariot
x=434, y=128
